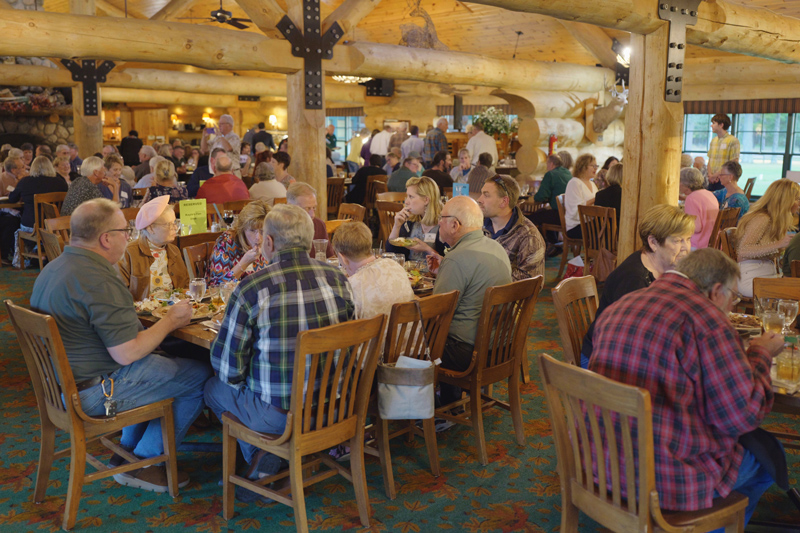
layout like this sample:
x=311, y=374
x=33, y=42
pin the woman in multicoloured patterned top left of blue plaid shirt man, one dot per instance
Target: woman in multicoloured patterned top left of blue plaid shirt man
x=237, y=251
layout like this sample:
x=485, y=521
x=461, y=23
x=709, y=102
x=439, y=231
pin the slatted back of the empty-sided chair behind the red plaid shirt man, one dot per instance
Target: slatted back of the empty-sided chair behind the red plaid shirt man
x=586, y=448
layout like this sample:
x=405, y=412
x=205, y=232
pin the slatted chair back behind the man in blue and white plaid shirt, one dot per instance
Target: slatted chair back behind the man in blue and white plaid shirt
x=331, y=369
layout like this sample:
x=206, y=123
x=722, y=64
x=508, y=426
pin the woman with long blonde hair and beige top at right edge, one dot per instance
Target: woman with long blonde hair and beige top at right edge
x=761, y=233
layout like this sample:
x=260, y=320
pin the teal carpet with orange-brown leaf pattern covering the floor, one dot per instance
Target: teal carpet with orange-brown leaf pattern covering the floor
x=518, y=490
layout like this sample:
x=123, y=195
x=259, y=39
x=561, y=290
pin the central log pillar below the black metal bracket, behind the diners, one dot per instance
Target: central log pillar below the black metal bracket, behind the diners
x=307, y=141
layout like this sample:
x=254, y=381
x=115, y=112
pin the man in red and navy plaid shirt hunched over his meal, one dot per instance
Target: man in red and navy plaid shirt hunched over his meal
x=675, y=340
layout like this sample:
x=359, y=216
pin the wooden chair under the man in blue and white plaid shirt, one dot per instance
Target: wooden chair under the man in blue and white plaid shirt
x=319, y=417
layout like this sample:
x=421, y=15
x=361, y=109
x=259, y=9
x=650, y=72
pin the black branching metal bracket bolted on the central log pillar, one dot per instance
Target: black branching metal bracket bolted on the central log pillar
x=313, y=47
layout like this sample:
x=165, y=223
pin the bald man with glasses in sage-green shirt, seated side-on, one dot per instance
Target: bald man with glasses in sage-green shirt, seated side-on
x=473, y=264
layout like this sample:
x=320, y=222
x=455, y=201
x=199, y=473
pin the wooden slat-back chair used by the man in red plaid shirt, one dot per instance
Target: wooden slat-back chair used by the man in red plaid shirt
x=574, y=396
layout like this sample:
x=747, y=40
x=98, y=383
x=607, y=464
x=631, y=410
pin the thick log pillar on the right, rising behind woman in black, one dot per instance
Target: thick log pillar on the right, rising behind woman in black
x=653, y=131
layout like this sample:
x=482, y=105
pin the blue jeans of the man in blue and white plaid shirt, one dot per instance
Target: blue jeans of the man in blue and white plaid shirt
x=248, y=407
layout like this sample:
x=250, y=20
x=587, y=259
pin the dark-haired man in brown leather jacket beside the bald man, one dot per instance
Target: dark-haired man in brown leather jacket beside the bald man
x=504, y=222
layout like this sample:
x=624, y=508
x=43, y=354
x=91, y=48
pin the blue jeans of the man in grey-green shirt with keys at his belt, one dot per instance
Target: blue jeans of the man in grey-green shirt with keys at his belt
x=151, y=379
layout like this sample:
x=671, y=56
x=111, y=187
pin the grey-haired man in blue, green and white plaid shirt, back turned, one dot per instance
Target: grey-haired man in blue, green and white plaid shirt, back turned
x=253, y=354
